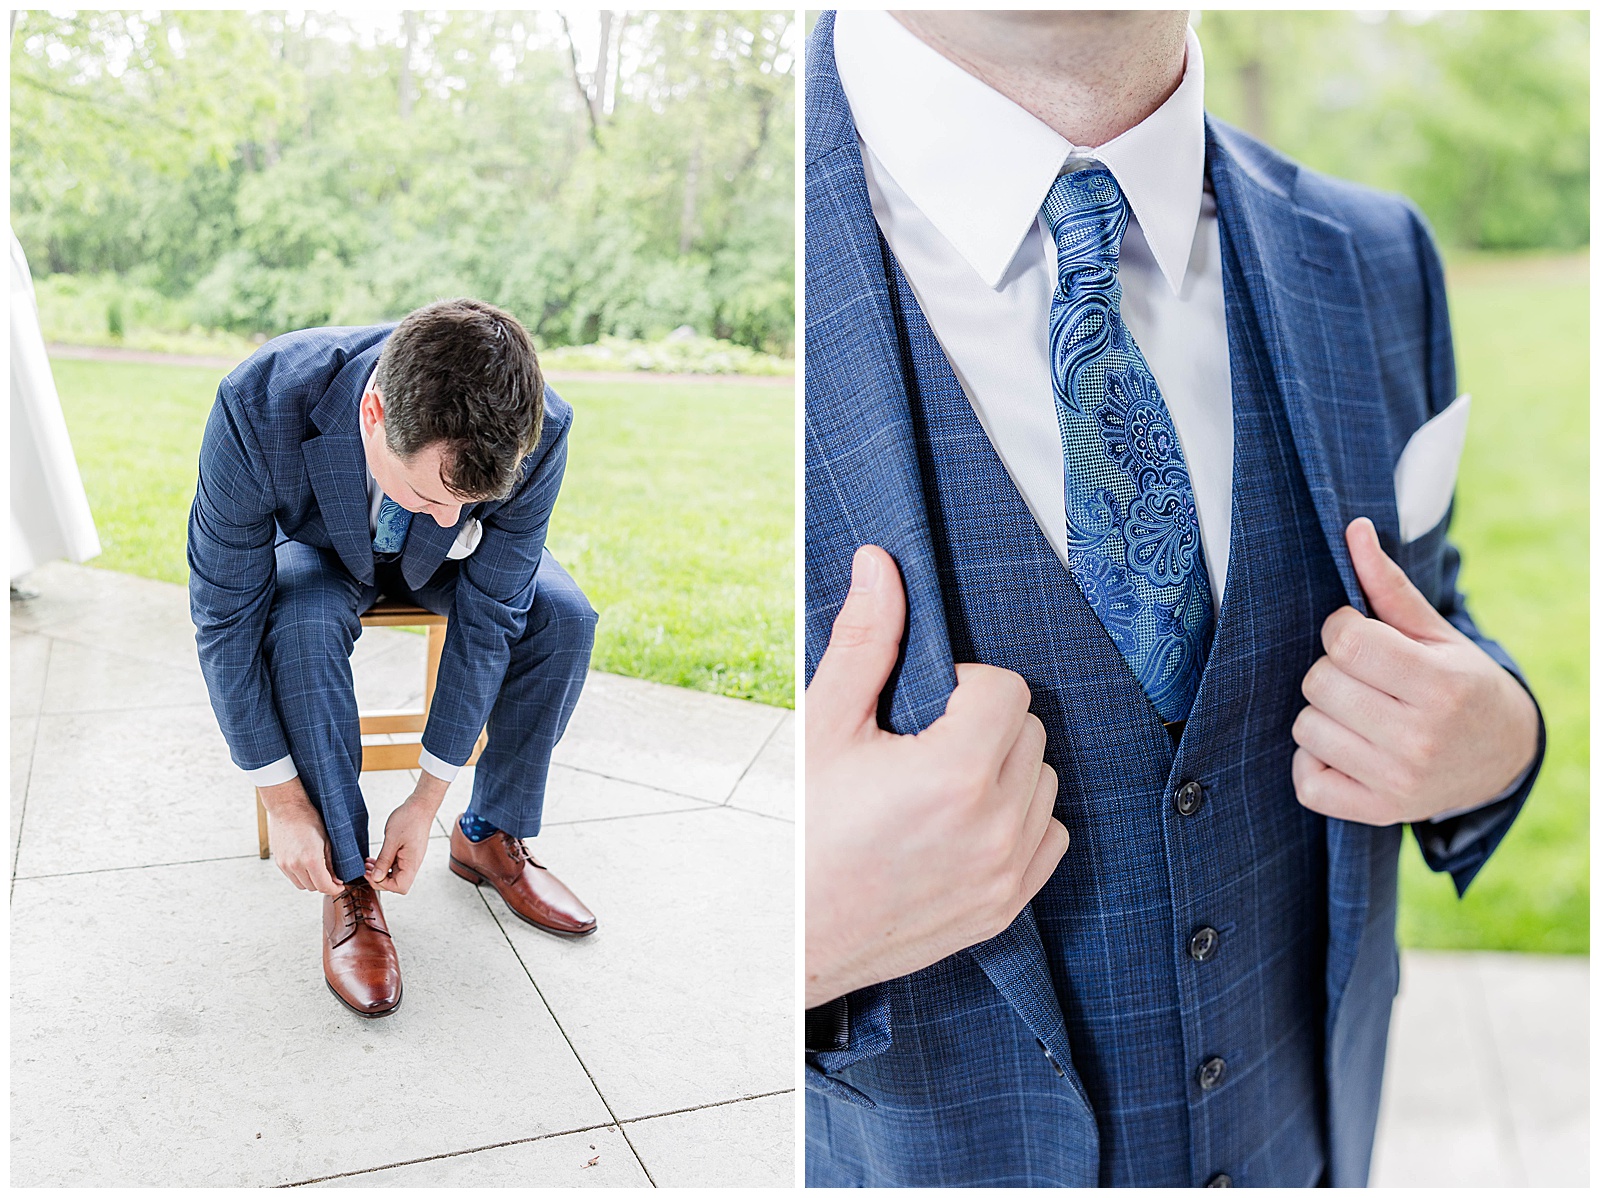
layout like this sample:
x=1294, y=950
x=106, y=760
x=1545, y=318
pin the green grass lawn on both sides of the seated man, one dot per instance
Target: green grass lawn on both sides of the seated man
x=676, y=517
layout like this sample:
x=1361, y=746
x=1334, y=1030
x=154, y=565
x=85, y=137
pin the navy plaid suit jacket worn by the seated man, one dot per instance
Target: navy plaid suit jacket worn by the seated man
x=282, y=460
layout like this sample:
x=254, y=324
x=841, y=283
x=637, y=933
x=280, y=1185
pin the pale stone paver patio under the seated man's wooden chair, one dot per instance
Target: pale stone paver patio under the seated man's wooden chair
x=169, y=1016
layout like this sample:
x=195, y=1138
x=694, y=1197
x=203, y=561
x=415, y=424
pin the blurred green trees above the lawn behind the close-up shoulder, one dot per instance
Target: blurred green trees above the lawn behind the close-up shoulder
x=1482, y=119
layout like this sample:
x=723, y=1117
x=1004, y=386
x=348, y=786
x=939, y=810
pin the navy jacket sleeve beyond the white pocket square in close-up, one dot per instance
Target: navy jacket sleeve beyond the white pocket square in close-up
x=1460, y=847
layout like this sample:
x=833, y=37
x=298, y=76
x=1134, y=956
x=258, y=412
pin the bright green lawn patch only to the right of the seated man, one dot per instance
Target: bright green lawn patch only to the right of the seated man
x=678, y=519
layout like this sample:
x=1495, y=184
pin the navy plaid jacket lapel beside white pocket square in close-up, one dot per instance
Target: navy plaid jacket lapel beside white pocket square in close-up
x=1298, y=279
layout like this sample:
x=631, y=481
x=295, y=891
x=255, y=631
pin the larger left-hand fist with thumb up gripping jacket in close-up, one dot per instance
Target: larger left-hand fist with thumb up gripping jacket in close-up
x=916, y=845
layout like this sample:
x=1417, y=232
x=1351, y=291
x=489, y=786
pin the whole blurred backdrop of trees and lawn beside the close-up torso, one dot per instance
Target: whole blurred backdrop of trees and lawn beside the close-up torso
x=1482, y=119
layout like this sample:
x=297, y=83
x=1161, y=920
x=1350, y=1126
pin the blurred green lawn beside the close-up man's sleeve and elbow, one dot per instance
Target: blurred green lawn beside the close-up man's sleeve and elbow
x=1522, y=525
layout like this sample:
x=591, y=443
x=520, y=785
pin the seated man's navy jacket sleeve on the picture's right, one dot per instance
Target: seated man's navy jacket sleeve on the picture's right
x=495, y=591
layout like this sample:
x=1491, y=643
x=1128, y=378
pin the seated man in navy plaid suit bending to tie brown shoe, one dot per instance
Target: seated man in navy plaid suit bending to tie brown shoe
x=417, y=463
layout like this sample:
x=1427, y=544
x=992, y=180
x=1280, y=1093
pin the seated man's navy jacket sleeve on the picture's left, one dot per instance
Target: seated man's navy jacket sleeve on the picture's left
x=231, y=581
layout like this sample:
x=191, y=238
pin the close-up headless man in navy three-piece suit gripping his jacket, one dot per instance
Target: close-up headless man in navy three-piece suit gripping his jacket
x=1106, y=533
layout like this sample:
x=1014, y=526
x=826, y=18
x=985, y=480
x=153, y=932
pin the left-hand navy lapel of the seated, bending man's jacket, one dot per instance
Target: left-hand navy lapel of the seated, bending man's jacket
x=337, y=465
